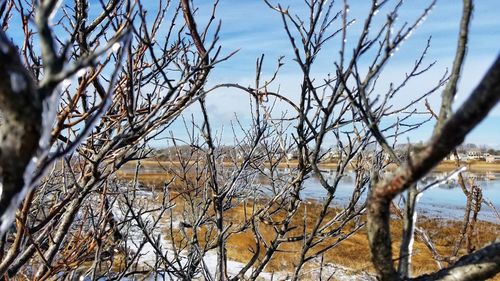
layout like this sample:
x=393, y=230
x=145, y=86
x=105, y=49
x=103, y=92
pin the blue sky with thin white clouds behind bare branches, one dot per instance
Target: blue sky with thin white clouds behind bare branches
x=254, y=29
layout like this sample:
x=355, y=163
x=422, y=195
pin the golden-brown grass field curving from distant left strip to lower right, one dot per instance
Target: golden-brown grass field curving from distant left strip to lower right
x=352, y=252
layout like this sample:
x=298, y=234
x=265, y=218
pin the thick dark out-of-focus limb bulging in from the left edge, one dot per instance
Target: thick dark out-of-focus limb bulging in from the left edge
x=20, y=129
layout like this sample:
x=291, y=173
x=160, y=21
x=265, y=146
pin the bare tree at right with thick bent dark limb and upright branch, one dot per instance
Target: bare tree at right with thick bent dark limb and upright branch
x=450, y=131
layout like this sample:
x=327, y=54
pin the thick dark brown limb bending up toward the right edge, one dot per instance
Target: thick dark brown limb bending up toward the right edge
x=474, y=110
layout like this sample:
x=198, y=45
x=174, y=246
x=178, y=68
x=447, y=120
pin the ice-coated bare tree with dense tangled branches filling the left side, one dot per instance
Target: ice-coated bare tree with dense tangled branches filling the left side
x=122, y=94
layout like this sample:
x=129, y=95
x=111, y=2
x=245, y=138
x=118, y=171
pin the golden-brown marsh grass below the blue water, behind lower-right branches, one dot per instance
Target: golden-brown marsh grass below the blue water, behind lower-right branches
x=353, y=252
